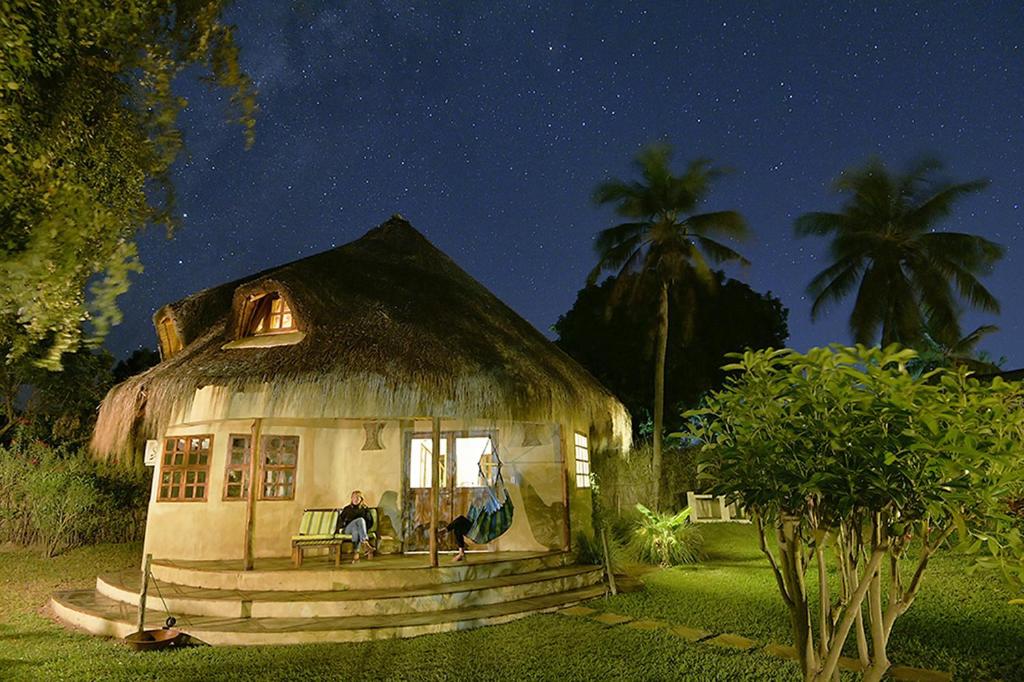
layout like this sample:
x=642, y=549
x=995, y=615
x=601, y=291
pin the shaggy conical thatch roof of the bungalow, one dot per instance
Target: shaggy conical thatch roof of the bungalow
x=395, y=329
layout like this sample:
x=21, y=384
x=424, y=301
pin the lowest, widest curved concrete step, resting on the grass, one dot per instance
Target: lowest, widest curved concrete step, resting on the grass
x=102, y=616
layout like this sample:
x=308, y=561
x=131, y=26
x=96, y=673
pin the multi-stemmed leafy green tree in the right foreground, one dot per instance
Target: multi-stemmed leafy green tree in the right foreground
x=843, y=452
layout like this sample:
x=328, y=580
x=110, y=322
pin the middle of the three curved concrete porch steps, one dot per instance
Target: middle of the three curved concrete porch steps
x=124, y=587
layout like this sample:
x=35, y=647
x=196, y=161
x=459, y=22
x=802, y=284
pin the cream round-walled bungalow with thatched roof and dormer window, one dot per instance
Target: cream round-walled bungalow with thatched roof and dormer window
x=338, y=364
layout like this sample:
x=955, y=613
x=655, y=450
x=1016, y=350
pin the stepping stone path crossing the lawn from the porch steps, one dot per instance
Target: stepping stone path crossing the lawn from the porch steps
x=728, y=641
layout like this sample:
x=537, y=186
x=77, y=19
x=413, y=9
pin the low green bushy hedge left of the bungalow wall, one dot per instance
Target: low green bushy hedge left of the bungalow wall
x=60, y=499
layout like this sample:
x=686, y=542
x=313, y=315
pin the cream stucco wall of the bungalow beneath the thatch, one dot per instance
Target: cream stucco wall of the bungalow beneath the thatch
x=332, y=463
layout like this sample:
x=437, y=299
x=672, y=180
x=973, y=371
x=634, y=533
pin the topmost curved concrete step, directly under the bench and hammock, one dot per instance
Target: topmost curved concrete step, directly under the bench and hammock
x=320, y=575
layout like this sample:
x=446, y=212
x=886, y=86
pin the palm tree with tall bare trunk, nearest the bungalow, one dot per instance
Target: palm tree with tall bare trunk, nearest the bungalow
x=664, y=244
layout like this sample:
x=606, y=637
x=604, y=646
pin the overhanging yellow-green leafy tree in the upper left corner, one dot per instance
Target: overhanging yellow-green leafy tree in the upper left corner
x=89, y=134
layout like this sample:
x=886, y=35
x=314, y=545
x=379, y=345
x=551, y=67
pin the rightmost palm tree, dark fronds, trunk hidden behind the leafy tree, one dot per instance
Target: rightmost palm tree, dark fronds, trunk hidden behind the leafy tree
x=885, y=246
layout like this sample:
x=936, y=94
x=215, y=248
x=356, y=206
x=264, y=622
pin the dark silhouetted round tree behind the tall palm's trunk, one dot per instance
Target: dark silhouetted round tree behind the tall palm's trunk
x=616, y=344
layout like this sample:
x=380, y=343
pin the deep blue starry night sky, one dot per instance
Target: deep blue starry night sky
x=489, y=126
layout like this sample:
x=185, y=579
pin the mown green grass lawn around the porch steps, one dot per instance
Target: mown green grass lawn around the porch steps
x=960, y=623
